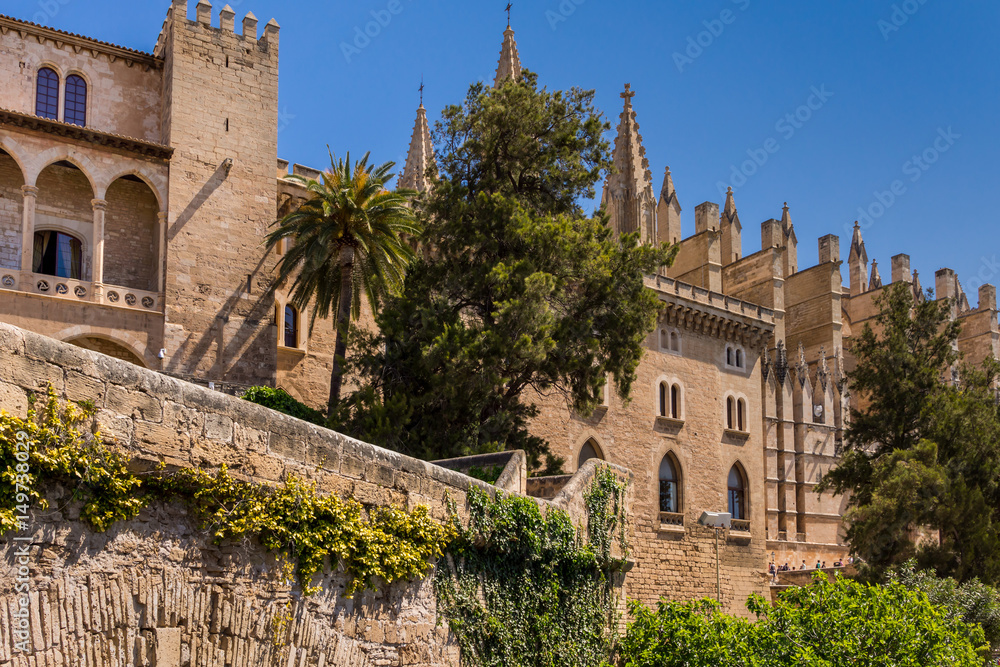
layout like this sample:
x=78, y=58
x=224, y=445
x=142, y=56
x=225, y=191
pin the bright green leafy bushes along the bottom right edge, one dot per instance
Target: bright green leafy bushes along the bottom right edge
x=836, y=623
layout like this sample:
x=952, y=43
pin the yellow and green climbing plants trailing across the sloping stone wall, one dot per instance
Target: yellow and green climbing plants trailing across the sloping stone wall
x=518, y=587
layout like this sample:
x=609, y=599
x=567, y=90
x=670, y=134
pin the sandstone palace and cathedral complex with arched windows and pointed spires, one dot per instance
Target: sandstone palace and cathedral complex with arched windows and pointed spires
x=136, y=190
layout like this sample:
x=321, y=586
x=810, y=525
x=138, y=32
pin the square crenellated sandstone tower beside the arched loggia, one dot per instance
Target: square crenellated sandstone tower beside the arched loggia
x=220, y=114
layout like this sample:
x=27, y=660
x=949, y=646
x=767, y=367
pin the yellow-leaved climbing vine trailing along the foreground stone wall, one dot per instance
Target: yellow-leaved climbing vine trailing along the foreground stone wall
x=291, y=520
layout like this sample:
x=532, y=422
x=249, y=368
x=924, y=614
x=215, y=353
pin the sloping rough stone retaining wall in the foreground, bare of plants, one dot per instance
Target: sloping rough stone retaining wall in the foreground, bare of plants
x=156, y=591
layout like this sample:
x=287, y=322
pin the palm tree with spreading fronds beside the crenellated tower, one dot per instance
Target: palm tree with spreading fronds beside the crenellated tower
x=346, y=240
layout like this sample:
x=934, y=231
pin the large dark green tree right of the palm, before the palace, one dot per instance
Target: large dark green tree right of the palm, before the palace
x=520, y=292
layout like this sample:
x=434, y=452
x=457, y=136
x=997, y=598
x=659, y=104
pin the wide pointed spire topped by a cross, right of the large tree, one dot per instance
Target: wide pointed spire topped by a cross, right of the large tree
x=628, y=193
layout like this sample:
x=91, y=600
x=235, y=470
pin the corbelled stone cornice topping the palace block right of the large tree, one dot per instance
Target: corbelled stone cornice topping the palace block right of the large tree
x=713, y=314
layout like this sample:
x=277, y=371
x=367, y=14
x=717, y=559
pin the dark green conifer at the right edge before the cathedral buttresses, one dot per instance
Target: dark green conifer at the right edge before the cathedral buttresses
x=922, y=456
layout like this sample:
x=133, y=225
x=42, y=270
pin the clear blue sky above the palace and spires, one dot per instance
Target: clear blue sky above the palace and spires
x=904, y=96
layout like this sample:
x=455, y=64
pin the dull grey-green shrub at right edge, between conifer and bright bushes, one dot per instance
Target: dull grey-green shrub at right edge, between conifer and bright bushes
x=972, y=601
